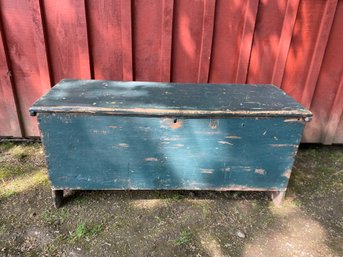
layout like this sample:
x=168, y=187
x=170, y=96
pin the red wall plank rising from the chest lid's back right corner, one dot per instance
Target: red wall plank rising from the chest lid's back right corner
x=268, y=49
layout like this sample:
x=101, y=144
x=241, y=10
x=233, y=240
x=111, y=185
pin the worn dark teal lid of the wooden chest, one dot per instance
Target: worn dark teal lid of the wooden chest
x=168, y=99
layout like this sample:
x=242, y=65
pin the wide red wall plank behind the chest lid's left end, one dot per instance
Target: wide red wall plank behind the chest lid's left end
x=22, y=26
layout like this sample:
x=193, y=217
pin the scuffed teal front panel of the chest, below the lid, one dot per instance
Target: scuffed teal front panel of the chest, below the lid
x=111, y=152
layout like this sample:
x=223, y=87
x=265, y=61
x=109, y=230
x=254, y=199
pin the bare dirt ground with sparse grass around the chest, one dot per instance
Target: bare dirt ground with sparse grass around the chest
x=165, y=223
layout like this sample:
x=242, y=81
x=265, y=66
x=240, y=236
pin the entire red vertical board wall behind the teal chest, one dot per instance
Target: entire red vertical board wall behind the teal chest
x=294, y=44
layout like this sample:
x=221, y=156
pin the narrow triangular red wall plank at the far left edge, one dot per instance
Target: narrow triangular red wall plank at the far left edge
x=9, y=119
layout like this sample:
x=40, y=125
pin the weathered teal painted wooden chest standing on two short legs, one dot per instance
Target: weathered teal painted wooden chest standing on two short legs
x=146, y=135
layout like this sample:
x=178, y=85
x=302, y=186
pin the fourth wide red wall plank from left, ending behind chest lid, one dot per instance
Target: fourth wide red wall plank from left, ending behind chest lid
x=110, y=39
